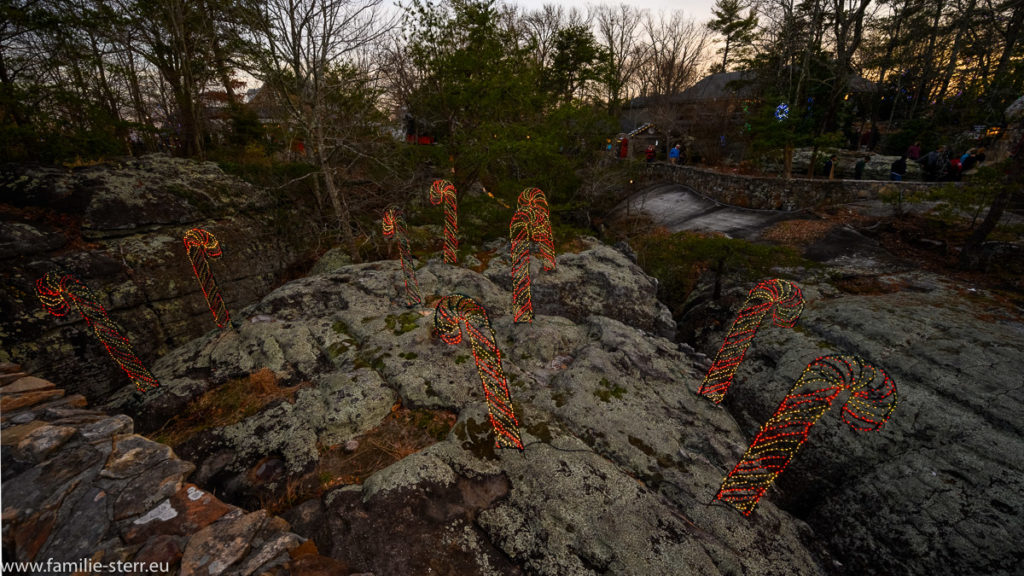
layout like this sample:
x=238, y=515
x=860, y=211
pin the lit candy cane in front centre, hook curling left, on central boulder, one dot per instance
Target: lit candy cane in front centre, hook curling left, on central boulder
x=458, y=315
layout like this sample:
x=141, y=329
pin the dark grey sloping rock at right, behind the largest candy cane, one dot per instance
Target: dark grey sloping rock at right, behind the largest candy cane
x=937, y=489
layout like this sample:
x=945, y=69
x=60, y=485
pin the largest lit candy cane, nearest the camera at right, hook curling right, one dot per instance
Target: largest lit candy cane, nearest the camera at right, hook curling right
x=873, y=399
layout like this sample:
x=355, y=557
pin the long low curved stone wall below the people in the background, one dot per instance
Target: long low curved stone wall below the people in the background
x=774, y=193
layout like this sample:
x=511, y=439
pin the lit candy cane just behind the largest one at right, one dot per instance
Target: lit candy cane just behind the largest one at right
x=787, y=304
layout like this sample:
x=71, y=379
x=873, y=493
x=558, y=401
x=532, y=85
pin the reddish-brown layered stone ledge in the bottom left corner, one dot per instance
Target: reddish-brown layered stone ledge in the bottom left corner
x=80, y=488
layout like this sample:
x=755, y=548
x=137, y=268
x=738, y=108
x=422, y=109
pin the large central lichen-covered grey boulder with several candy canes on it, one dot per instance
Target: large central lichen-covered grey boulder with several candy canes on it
x=622, y=459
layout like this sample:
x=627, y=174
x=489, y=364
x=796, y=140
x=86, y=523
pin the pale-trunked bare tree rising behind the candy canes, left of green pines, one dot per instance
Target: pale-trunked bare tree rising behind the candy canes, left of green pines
x=311, y=55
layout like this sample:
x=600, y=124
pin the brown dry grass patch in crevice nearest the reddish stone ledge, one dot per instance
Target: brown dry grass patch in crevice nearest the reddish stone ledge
x=228, y=404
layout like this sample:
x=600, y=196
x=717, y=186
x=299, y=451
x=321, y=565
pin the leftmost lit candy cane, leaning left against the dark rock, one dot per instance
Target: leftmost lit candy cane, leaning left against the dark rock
x=59, y=294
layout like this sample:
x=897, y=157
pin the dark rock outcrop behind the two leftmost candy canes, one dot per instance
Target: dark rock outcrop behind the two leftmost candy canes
x=118, y=228
